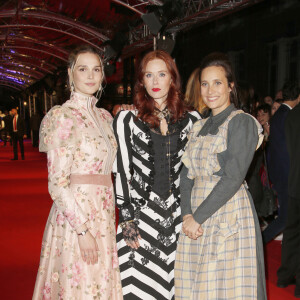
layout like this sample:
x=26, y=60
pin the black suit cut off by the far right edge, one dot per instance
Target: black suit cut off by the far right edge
x=290, y=256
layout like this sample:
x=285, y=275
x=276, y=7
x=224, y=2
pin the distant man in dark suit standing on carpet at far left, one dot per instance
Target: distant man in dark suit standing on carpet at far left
x=17, y=133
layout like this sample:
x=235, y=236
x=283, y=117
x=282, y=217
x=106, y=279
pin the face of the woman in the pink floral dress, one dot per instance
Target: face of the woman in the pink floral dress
x=86, y=74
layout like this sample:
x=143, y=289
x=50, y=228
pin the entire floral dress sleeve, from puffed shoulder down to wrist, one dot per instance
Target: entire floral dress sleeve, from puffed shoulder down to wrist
x=58, y=139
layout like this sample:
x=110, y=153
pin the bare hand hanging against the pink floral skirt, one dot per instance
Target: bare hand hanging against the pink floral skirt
x=88, y=248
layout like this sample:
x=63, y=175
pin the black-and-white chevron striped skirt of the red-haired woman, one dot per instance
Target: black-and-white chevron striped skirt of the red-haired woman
x=148, y=272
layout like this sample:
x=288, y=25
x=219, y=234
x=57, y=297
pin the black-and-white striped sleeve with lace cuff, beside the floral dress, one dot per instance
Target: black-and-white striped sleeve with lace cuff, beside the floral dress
x=123, y=165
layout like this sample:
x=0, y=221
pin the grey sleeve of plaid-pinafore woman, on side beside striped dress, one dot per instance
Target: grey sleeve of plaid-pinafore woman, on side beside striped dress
x=186, y=186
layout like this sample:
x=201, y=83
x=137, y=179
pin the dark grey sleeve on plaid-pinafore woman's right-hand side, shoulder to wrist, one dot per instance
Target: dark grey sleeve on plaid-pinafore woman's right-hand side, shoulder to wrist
x=241, y=144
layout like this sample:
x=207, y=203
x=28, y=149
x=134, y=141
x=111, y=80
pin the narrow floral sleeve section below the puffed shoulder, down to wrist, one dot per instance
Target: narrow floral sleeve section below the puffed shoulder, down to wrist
x=59, y=169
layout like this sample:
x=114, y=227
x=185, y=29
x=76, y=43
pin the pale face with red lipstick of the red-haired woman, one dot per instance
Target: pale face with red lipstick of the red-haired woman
x=157, y=80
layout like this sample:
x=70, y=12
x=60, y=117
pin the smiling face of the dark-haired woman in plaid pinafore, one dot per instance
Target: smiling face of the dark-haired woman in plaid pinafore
x=215, y=90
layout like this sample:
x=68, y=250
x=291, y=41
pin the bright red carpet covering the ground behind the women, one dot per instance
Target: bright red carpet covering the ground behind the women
x=25, y=205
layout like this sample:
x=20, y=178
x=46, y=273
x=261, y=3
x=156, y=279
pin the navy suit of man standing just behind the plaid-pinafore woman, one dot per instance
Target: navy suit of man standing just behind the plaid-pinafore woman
x=278, y=168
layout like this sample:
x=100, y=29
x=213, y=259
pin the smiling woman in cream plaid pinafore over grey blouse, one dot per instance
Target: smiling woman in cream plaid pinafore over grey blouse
x=219, y=253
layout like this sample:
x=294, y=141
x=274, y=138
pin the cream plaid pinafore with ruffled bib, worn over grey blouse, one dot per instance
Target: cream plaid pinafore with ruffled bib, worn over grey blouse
x=222, y=264
